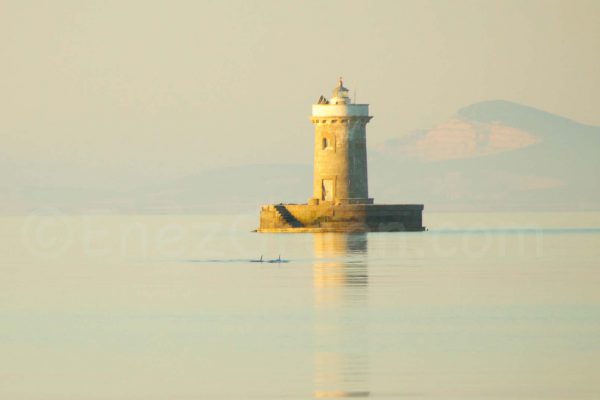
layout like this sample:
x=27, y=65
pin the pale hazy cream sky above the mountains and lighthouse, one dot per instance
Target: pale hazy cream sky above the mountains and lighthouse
x=111, y=92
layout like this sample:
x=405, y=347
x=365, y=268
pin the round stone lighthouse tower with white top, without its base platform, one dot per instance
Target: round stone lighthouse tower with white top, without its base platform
x=340, y=164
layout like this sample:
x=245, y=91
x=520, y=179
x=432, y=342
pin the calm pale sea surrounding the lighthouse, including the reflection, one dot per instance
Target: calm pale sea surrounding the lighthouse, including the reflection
x=499, y=306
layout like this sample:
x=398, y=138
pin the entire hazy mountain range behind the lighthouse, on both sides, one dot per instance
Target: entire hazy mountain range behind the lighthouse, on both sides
x=494, y=155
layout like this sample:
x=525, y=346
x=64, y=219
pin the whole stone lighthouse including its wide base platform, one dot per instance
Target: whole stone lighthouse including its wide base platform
x=340, y=199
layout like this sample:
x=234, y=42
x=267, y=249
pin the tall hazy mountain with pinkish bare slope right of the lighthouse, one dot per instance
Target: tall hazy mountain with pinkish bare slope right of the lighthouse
x=493, y=155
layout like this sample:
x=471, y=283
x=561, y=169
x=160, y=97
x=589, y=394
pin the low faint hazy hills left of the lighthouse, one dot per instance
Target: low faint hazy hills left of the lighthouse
x=225, y=190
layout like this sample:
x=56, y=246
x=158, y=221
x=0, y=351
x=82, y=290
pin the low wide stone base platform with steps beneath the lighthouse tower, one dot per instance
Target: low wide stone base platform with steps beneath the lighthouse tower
x=295, y=218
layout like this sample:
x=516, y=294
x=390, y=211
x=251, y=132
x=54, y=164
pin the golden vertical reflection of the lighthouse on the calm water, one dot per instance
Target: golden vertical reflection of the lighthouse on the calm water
x=341, y=318
